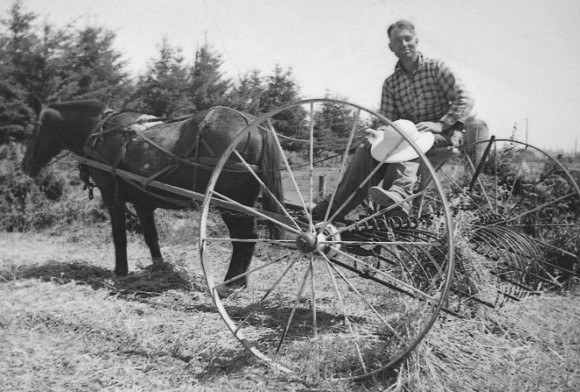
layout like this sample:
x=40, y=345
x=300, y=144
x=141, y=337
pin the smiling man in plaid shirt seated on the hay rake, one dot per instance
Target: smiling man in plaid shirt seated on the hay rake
x=422, y=90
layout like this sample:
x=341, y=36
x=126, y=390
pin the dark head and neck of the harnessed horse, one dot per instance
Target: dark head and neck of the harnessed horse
x=60, y=126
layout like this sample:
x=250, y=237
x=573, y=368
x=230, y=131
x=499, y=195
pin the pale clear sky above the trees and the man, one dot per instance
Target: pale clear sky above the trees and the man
x=520, y=59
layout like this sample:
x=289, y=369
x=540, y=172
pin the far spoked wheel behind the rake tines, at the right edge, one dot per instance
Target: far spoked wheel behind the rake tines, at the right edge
x=523, y=207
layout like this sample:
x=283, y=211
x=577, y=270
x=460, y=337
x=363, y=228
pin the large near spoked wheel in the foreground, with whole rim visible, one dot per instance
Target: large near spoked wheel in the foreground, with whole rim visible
x=334, y=297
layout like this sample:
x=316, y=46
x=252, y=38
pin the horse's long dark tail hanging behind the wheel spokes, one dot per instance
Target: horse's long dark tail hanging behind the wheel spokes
x=270, y=164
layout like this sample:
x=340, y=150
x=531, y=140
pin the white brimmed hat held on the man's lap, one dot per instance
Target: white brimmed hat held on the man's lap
x=396, y=148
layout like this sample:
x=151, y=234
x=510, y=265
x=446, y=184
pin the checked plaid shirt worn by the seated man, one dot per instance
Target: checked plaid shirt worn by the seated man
x=431, y=93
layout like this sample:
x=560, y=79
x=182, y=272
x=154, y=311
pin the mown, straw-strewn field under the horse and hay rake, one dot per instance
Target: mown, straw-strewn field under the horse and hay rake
x=68, y=324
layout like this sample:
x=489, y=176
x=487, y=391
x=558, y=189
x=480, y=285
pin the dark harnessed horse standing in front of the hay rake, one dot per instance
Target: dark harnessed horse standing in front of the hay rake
x=179, y=153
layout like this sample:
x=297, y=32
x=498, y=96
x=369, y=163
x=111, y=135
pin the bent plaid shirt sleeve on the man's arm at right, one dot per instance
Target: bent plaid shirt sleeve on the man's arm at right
x=461, y=100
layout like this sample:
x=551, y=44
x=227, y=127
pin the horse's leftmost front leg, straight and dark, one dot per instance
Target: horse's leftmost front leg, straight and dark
x=118, y=224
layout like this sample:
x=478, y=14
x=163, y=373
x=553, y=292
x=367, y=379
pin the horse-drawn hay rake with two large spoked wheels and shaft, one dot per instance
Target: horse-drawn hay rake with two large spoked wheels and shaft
x=348, y=298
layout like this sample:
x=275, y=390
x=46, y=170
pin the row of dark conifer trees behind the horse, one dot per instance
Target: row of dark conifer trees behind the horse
x=69, y=63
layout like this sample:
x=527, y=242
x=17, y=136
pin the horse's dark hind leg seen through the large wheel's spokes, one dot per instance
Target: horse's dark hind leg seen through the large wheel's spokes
x=239, y=227
